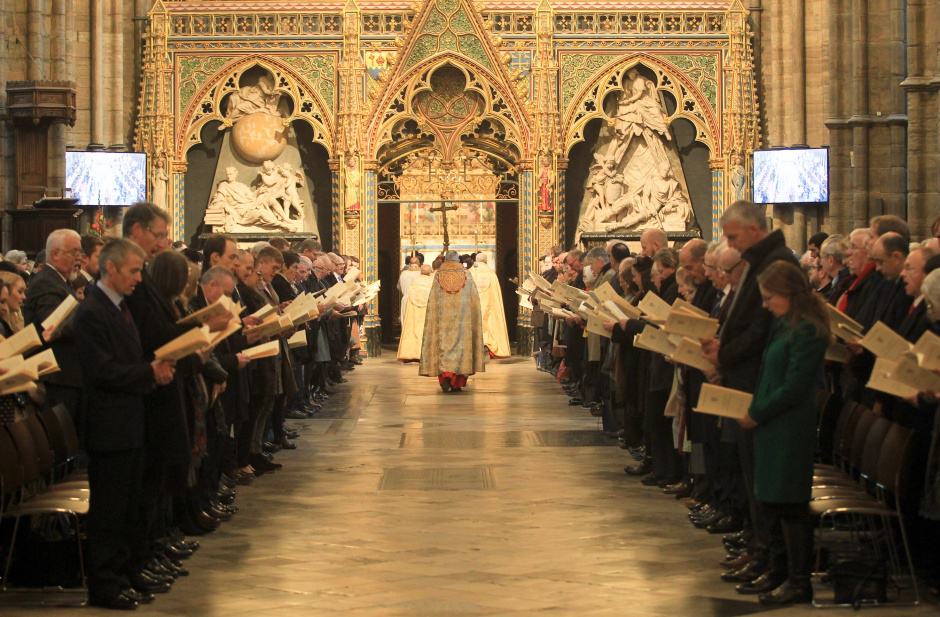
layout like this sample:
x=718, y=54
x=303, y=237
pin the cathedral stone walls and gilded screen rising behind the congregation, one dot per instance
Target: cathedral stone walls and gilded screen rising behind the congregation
x=545, y=122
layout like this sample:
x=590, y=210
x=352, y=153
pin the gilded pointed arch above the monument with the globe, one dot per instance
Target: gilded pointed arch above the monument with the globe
x=308, y=104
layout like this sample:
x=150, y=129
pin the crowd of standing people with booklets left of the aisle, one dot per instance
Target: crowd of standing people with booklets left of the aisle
x=168, y=442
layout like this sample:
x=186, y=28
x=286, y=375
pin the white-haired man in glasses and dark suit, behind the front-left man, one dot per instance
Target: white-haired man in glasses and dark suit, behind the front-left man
x=46, y=291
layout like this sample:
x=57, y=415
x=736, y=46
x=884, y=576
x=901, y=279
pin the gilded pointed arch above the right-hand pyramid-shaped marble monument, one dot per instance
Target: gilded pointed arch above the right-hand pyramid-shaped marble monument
x=686, y=85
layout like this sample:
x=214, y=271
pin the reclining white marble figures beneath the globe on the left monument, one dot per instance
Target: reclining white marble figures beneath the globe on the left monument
x=272, y=204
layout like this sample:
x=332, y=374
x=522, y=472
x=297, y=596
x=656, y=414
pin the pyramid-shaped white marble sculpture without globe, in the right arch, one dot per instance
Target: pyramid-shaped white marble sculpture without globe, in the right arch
x=633, y=184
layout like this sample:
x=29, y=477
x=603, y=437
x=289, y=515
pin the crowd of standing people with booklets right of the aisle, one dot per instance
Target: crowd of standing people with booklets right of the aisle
x=757, y=480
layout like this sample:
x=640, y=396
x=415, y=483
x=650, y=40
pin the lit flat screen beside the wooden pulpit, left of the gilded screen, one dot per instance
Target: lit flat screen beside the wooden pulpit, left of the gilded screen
x=106, y=178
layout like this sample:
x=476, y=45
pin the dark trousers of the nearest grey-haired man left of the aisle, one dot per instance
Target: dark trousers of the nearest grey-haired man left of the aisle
x=113, y=519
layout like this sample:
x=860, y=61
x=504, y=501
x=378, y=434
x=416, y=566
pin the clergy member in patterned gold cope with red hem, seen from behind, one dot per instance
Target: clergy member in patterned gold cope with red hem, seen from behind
x=452, y=348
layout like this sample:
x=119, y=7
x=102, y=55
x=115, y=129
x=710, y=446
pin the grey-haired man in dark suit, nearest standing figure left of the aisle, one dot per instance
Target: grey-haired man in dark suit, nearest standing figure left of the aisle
x=117, y=378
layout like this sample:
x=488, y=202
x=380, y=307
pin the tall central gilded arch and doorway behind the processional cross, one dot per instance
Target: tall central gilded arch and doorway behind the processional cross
x=447, y=150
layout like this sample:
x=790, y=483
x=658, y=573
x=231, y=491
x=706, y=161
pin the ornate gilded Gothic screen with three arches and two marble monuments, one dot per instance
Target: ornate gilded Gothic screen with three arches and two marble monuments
x=552, y=121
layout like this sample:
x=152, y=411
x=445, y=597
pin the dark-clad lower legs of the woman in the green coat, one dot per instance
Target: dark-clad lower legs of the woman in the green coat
x=787, y=531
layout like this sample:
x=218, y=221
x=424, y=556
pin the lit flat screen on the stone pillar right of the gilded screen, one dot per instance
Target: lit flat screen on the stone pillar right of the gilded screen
x=791, y=176
